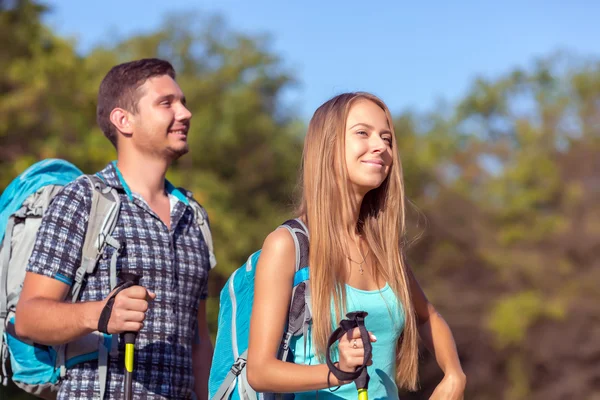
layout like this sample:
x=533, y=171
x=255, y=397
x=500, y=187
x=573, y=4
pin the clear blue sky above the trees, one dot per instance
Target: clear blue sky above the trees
x=412, y=55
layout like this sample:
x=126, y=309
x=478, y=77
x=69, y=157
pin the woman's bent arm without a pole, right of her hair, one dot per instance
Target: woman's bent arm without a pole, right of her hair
x=437, y=337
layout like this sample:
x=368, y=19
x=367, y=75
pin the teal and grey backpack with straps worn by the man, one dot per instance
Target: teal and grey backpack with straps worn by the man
x=34, y=367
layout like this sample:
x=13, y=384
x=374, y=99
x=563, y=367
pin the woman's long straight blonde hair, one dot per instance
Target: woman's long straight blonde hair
x=326, y=205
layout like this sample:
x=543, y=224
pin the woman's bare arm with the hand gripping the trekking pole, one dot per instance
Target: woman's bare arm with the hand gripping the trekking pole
x=272, y=295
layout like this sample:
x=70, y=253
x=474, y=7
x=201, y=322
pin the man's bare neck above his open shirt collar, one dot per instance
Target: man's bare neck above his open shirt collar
x=144, y=175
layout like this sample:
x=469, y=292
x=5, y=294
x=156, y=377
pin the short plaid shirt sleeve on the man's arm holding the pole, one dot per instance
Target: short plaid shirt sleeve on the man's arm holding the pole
x=60, y=238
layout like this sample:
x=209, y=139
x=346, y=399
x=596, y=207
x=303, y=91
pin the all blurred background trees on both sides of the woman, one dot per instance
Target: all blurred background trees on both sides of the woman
x=505, y=185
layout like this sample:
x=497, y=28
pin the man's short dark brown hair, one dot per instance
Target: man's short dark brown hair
x=119, y=89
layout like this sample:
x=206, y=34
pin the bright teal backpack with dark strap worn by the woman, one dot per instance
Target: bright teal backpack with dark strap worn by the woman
x=228, y=378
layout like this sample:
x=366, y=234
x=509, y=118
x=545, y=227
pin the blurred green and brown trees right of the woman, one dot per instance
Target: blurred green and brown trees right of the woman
x=512, y=210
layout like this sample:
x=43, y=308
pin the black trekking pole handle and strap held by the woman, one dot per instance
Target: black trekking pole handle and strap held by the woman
x=360, y=376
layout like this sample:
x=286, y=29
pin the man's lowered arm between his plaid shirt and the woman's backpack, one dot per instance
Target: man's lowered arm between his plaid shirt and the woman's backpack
x=202, y=352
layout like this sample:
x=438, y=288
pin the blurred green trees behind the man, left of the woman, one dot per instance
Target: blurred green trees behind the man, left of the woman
x=245, y=148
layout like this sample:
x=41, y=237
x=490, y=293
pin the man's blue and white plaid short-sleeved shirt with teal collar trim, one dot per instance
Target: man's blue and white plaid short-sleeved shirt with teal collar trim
x=173, y=263
